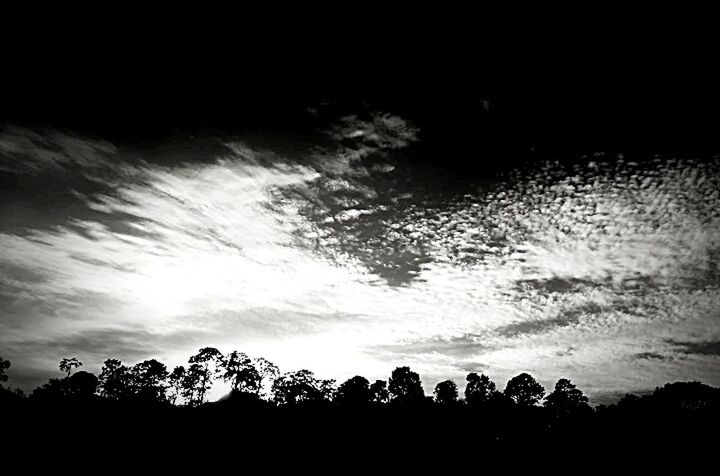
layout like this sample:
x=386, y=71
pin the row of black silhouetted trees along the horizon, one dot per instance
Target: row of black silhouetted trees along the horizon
x=259, y=381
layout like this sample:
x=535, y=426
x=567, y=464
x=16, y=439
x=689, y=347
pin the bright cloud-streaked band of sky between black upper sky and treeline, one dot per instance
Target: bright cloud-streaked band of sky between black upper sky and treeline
x=344, y=256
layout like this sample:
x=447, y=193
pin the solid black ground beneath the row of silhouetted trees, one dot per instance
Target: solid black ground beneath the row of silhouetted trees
x=677, y=429
